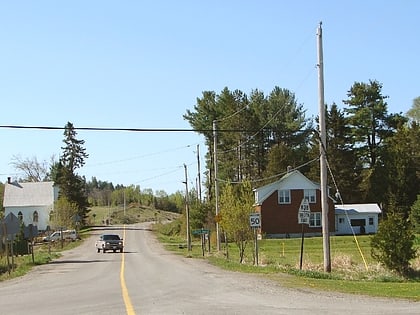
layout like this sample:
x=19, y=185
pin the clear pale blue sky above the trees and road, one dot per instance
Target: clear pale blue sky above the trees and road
x=142, y=64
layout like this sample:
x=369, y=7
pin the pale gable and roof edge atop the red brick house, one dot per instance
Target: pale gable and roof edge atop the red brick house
x=292, y=180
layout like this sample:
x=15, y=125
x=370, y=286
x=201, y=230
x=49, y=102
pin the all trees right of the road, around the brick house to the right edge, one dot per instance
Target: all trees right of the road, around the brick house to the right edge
x=373, y=156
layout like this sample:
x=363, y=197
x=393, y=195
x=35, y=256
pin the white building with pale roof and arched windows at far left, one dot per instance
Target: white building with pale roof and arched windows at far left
x=30, y=202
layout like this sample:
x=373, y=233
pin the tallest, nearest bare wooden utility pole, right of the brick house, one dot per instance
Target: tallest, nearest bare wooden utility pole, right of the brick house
x=323, y=157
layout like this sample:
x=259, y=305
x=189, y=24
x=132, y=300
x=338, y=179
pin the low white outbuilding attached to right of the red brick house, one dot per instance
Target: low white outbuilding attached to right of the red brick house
x=357, y=218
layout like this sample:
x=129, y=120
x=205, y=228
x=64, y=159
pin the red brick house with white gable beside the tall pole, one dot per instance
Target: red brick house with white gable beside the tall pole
x=279, y=203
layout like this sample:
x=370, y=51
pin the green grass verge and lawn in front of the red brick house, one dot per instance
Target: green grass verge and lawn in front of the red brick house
x=353, y=269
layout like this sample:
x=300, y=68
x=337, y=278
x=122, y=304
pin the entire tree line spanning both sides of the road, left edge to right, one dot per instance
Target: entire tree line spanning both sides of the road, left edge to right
x=373, y=156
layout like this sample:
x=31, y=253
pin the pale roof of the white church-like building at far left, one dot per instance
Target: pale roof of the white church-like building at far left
x=29, y=194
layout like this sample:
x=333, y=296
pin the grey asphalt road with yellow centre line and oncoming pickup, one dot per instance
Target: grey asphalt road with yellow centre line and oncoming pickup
x=146, y=279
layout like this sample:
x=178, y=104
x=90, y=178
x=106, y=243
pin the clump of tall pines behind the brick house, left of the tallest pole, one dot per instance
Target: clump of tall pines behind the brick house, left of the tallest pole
x=255, y=125
